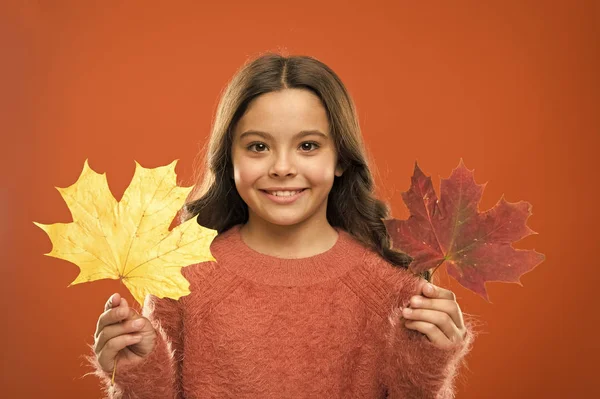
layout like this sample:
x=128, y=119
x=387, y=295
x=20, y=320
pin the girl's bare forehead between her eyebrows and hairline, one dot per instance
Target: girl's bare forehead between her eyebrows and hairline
x=284, y=112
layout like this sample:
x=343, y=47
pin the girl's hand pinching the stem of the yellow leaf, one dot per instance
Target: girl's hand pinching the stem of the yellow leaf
x=121, y=330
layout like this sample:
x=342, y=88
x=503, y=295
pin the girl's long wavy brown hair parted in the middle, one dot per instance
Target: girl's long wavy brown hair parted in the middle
x=351, y=205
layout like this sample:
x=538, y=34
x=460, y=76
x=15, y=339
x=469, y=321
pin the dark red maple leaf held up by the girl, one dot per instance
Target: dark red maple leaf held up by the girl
x=476, y=247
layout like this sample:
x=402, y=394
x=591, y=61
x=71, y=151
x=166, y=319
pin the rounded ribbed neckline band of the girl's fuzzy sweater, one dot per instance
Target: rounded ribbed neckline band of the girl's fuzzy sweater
x=232, y=253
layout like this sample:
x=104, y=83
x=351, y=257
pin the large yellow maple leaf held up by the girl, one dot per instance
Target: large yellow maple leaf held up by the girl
x=130, y=240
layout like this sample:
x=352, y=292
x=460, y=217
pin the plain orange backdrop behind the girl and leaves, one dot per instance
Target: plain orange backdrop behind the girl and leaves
x=511, y=87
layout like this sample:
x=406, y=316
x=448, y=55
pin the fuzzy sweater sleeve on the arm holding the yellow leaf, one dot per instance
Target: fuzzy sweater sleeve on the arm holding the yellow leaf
x=159, y=374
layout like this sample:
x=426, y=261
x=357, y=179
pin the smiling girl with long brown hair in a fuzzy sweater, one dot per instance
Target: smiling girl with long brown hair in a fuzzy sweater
x=306, y=298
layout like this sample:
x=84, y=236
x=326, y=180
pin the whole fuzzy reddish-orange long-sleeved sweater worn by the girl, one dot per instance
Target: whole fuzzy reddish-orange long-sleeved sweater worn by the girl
x=257, y=326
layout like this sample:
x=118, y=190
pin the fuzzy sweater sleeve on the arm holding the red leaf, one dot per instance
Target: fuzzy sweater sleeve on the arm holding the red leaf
x=414, y=367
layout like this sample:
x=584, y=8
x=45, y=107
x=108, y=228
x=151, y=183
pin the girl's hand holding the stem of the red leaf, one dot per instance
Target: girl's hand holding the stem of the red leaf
x=437, y=315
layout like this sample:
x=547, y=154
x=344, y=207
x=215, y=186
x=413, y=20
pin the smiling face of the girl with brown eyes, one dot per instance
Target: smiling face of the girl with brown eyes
x=280, y=157
